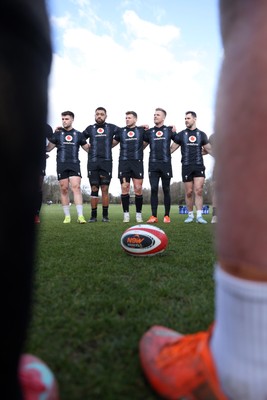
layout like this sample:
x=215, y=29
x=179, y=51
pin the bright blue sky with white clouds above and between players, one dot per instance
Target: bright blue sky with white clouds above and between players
x=134, y=55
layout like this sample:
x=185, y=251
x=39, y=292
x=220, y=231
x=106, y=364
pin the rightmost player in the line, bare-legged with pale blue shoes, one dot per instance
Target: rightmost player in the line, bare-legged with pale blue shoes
x=192, y=142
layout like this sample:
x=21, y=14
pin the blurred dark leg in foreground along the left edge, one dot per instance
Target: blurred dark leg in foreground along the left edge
x=25, y=48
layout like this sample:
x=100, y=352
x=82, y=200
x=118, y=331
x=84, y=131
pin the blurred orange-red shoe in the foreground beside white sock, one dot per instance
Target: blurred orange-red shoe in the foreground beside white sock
x=179, y=367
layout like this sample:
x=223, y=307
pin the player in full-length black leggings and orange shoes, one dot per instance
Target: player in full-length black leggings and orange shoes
x=159, y=138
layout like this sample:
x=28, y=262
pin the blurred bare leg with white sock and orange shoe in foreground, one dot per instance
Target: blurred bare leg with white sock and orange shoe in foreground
x=230, y=360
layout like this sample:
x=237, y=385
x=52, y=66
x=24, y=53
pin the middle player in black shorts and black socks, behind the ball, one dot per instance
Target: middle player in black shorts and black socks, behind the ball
x=131, y=166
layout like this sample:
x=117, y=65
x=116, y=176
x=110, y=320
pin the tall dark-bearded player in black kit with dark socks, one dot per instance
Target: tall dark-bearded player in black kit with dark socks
x=100, y=161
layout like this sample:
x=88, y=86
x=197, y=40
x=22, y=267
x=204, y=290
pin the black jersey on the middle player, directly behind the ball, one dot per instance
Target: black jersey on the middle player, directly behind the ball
x=131, y=143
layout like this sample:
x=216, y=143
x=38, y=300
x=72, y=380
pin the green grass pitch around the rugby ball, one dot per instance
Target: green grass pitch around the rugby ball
x=93, y=302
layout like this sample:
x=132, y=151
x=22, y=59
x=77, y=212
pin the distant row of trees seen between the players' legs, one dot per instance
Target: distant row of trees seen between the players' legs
x=51, y=193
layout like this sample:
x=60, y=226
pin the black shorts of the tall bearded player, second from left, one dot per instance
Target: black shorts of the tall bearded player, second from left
x=100, y=172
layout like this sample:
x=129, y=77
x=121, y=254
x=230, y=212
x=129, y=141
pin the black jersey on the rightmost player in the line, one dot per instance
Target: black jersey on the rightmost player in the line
x=191, y=142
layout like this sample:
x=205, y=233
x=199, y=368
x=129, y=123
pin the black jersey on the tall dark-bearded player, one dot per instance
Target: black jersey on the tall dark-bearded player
x=100, y=139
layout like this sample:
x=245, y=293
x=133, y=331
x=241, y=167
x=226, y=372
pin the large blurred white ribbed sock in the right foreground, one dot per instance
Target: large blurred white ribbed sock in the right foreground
x=239, y=340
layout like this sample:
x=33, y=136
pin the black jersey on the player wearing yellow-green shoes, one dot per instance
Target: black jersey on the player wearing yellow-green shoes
x=68, y=145
